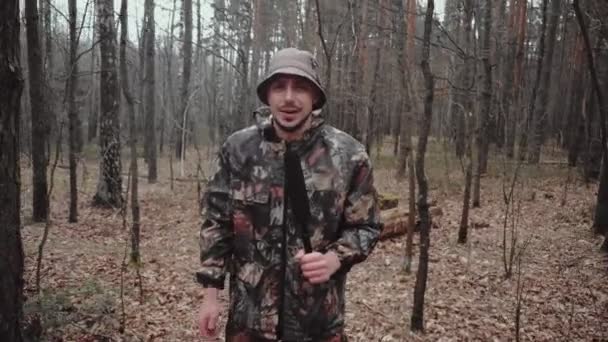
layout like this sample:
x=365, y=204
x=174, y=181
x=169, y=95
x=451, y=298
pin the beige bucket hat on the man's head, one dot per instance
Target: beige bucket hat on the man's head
x=292, y=61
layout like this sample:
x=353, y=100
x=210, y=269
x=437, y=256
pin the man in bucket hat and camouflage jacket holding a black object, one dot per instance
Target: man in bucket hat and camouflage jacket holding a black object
x=255, y=227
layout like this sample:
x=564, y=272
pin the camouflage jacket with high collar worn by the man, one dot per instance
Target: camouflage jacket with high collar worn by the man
x=248, y=233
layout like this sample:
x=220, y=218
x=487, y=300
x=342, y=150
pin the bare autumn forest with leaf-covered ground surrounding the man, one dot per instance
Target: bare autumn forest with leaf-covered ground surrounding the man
x=484, y=120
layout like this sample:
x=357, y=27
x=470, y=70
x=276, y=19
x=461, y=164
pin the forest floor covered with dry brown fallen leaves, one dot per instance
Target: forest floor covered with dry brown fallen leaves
x=563, y=277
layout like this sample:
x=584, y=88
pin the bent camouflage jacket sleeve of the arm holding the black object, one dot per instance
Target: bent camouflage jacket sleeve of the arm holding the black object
x=361, y=225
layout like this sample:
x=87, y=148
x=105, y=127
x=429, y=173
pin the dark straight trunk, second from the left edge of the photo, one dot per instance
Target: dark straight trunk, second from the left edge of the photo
x=40, y=113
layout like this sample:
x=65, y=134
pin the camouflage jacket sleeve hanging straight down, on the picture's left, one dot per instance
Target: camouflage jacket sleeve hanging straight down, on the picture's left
x=216, y=231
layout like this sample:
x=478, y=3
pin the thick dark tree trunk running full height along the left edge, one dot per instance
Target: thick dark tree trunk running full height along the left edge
x=11, y=262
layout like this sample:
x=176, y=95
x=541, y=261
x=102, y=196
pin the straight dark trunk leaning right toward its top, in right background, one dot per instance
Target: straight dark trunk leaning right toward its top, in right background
x=540, y=117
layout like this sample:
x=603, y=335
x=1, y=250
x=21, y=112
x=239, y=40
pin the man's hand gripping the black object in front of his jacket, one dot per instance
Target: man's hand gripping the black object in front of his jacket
x=318, y=267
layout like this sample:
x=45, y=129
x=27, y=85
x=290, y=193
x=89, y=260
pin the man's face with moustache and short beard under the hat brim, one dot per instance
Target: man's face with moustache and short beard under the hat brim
x=291, y=100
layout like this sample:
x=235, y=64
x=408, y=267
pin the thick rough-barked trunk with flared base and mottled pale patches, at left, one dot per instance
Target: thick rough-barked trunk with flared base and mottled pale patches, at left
x=109, y=188
